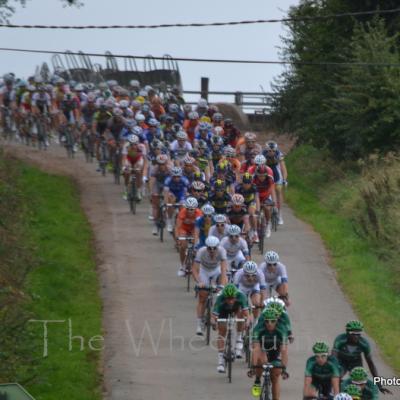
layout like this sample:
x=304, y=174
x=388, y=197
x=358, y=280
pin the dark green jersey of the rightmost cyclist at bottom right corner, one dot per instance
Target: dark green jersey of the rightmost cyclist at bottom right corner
x=349, y=355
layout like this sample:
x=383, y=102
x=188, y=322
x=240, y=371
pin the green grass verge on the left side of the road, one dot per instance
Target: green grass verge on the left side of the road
x=64, y=286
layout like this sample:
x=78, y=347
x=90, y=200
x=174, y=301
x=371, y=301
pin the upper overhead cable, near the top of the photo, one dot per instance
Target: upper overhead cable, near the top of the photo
x=205, y=24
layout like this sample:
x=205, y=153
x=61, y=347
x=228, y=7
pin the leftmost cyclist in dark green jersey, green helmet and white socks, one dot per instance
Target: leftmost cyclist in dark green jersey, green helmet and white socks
x=231, y=301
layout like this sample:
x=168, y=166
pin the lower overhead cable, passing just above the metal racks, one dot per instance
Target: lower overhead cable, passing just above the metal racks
x=208, y=60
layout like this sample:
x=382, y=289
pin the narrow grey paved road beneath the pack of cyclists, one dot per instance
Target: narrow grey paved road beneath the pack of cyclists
x=149, y=321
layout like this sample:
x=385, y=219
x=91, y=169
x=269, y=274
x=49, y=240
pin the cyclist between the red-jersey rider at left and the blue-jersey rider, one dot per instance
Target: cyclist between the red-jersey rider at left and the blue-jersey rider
x=158, y=175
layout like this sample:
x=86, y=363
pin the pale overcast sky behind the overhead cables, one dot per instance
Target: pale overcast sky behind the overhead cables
x=259, y=41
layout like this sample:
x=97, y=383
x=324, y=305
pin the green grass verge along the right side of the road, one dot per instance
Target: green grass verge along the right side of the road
x=322, y=195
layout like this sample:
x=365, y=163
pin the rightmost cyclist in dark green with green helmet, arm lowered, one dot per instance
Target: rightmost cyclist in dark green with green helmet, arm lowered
x=349, y=347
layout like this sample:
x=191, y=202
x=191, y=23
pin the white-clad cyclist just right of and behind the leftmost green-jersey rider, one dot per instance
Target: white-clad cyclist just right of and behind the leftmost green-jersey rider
x=250, y=281
